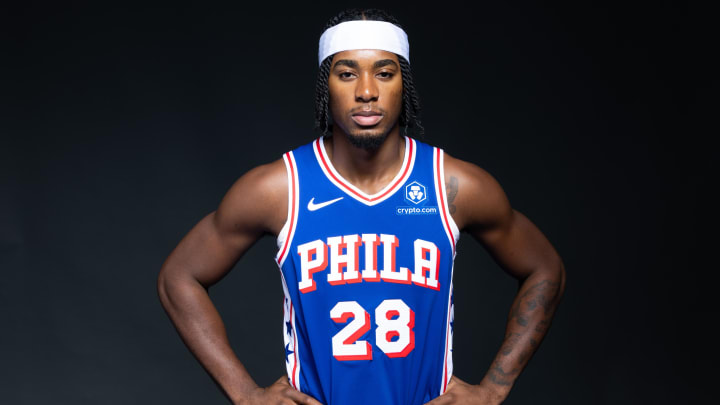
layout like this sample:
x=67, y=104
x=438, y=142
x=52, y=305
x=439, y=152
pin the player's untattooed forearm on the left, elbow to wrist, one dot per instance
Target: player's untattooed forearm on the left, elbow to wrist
x=198, y=322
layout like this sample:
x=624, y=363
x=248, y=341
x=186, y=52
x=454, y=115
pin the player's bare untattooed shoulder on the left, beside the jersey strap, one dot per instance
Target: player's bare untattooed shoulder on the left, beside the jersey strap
x=256, y=202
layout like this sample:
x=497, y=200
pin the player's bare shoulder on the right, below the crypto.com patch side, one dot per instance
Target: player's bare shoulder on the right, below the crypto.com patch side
x=475, y=198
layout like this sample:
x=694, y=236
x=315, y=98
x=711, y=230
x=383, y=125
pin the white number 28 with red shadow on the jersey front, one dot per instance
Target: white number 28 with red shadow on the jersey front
x=345, y=343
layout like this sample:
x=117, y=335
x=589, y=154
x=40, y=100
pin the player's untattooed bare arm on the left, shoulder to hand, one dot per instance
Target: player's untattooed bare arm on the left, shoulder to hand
x=255, y=205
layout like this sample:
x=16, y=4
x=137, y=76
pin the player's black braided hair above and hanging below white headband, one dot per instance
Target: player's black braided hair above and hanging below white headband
x=409, y=115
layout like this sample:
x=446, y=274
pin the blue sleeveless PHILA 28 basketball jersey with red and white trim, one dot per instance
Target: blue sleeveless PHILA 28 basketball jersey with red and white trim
x=368, y=308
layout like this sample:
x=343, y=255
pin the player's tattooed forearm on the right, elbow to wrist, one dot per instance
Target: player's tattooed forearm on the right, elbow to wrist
x=529, y=319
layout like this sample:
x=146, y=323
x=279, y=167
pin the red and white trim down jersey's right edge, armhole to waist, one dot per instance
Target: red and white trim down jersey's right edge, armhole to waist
x=453, y=234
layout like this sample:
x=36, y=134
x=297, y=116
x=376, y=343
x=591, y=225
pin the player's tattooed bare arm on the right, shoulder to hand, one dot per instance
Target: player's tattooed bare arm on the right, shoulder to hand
x=479, y=206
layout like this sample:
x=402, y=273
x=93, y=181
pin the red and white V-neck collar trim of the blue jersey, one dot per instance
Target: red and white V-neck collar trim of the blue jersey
x=356, y=193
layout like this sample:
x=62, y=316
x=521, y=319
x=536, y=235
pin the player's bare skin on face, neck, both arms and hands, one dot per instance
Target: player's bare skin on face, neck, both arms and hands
x=360, y=79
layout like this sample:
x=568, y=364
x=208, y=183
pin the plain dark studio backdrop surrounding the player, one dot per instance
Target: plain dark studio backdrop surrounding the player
x=124, y=126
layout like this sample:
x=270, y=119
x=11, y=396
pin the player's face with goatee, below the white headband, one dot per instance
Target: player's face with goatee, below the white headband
x=365, y=95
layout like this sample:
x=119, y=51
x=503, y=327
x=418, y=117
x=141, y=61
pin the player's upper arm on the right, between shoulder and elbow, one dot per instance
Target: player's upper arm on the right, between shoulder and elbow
x=517, y=245
